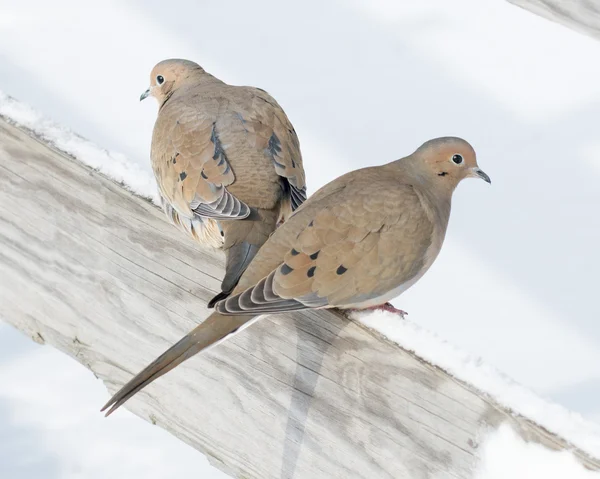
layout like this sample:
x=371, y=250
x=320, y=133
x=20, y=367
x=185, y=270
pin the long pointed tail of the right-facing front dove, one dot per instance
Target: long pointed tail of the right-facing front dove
x=212, y=331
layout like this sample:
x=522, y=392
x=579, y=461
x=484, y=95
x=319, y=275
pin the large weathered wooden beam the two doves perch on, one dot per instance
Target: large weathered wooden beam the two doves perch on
x=98, y=273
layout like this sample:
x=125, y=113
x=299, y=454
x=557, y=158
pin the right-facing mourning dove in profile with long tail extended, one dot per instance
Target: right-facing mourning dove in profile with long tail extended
x=358, y=242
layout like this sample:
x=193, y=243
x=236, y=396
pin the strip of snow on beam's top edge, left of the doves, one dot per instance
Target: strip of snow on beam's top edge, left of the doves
x=112, y=164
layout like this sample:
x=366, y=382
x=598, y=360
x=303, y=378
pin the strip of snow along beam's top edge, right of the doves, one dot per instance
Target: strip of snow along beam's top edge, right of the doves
x=473, y=370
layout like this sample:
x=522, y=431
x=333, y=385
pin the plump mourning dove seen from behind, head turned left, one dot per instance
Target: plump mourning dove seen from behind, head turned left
x=226, y=159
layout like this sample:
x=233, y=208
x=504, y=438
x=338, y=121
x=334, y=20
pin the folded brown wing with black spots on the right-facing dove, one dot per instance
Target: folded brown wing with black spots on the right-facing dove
x=357, y=243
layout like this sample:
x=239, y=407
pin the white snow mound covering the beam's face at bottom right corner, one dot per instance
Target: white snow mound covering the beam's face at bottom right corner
x=504, y=455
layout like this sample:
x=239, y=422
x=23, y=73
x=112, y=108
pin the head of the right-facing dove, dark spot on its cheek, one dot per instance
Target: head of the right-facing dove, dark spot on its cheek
x=449, y=160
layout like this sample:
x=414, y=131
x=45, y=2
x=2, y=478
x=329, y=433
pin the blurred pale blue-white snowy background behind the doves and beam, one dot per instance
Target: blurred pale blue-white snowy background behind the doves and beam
x=364, y=83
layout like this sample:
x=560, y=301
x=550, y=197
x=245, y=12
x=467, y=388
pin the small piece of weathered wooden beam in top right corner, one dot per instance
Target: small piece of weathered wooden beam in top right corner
x=580, y=15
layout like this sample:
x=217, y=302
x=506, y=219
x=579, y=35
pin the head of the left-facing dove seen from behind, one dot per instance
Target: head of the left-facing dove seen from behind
x=167, y=76
